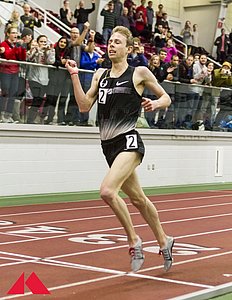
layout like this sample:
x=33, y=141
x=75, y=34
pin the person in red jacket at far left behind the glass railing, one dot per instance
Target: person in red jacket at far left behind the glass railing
x=13, y=50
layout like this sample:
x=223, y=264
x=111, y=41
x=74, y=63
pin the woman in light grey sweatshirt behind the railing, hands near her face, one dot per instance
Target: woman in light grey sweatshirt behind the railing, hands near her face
x=38, y=78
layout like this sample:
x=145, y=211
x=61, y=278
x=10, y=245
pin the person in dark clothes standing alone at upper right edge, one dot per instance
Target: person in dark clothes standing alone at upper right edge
x=222, y=43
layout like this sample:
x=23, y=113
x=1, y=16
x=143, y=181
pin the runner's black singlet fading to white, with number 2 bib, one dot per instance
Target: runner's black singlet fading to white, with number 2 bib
x=119, y=104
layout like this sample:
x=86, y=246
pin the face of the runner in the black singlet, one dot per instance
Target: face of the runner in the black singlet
x=117, y=48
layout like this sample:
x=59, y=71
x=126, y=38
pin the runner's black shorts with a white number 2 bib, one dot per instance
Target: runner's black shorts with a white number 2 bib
x=130, y=141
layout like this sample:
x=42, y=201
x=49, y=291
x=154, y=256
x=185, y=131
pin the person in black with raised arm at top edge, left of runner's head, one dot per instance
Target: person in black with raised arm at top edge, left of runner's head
x=81, y=14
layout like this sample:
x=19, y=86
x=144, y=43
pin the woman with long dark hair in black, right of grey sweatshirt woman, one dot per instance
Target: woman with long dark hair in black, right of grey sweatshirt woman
x=59, y=84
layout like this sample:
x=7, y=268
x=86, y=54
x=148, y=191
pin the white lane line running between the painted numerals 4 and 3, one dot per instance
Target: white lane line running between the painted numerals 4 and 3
x=111, y=229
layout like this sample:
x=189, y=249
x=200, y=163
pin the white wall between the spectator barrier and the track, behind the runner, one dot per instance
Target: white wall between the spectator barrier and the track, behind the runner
x=49, y=159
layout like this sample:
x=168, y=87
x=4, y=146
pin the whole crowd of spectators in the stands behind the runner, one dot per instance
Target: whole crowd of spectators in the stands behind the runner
x=194, y=103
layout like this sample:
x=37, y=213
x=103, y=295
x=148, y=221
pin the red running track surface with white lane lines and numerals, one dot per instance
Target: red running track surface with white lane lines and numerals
x=79, y=250
